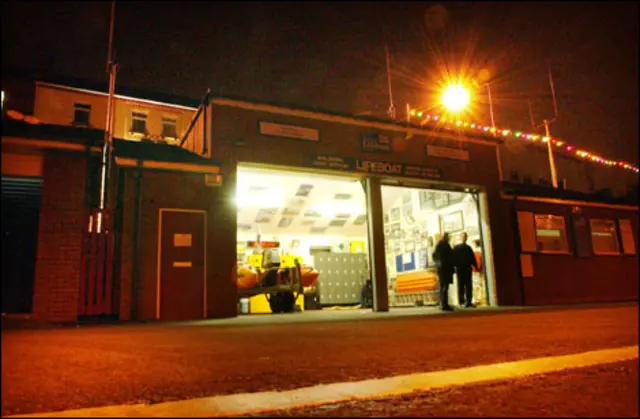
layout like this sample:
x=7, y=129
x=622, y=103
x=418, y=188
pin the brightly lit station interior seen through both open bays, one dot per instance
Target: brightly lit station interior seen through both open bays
x=313, y=217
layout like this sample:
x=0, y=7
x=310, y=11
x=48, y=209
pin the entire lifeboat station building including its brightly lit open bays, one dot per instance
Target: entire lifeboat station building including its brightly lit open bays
x=361, y=202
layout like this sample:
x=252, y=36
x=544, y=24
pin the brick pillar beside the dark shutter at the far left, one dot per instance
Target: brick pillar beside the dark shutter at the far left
x=63, y=220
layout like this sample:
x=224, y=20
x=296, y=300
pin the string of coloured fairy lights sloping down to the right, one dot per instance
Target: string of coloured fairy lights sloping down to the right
x=445, y=123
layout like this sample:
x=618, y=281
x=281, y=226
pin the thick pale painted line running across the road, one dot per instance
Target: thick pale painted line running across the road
x=253, y=403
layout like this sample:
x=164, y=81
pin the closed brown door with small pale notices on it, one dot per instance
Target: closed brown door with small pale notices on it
x=182, y=265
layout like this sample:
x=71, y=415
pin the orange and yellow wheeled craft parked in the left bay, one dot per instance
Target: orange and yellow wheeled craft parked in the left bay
x=281, y=284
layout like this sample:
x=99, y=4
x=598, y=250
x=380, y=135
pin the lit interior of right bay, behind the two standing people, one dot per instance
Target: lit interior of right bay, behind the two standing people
x=414, y=220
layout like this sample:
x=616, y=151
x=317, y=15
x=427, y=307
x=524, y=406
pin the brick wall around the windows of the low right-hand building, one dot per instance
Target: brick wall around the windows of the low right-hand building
x=564, y=278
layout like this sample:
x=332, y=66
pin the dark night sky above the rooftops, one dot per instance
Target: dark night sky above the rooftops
x=330, y=55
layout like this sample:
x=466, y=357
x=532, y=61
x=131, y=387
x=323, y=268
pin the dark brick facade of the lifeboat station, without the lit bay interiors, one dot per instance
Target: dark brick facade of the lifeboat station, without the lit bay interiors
x=172, y=245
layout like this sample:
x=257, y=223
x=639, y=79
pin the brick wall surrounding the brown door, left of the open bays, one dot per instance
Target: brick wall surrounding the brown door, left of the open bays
x=175, y=190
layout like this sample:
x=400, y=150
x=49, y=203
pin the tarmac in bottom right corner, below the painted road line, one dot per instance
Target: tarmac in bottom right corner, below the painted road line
x=602, y=391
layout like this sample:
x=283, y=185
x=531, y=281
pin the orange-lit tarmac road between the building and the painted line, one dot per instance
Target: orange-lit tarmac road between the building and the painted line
x=70, y=368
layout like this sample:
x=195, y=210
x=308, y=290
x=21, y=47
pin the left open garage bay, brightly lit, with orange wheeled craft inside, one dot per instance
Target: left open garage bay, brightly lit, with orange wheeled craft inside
x=318, y=220
